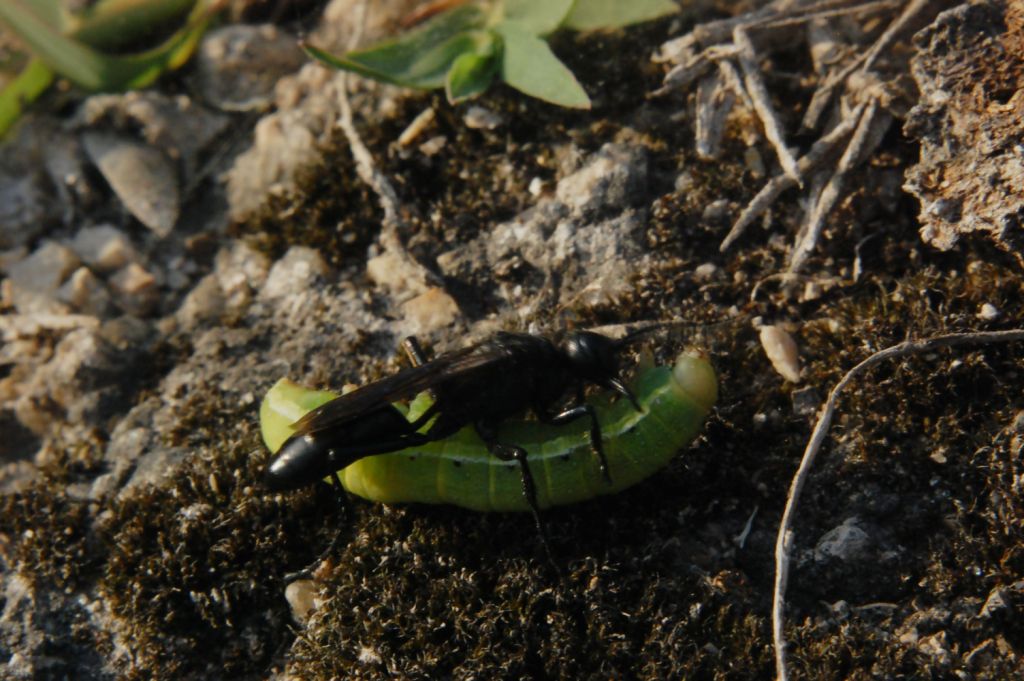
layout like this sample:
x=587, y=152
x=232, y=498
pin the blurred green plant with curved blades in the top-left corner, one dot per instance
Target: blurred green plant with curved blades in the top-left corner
x=92, y=45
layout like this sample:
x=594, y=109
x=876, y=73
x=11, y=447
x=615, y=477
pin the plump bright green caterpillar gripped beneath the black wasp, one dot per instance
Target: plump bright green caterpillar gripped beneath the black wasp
x=459, y=471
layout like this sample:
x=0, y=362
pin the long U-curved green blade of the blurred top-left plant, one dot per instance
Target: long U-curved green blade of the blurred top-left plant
x=92, y=69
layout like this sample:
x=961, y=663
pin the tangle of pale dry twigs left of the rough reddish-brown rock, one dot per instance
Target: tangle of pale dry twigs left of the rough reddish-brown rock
x=863, y=108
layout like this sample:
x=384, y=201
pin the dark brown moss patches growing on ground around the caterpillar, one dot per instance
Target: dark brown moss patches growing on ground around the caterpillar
x=654, y=584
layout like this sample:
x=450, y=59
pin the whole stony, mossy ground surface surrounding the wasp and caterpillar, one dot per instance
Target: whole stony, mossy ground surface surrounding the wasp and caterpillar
x=168, y=256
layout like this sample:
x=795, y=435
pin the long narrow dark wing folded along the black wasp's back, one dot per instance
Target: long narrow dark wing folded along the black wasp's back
x=403, y=386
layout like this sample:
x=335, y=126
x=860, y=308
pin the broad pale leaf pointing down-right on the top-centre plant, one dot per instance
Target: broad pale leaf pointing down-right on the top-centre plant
x=531, y=67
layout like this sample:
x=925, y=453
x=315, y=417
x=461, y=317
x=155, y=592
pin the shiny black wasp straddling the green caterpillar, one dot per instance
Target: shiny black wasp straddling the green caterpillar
x=480, y=386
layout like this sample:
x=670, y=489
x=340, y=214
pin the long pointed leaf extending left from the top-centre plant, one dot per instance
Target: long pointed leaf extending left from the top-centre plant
x=420, y=59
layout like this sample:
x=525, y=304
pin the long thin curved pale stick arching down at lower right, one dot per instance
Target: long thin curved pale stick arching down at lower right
x=784, y=542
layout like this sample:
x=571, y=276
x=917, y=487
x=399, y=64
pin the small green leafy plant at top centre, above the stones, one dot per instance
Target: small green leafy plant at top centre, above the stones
x=464, y=49
